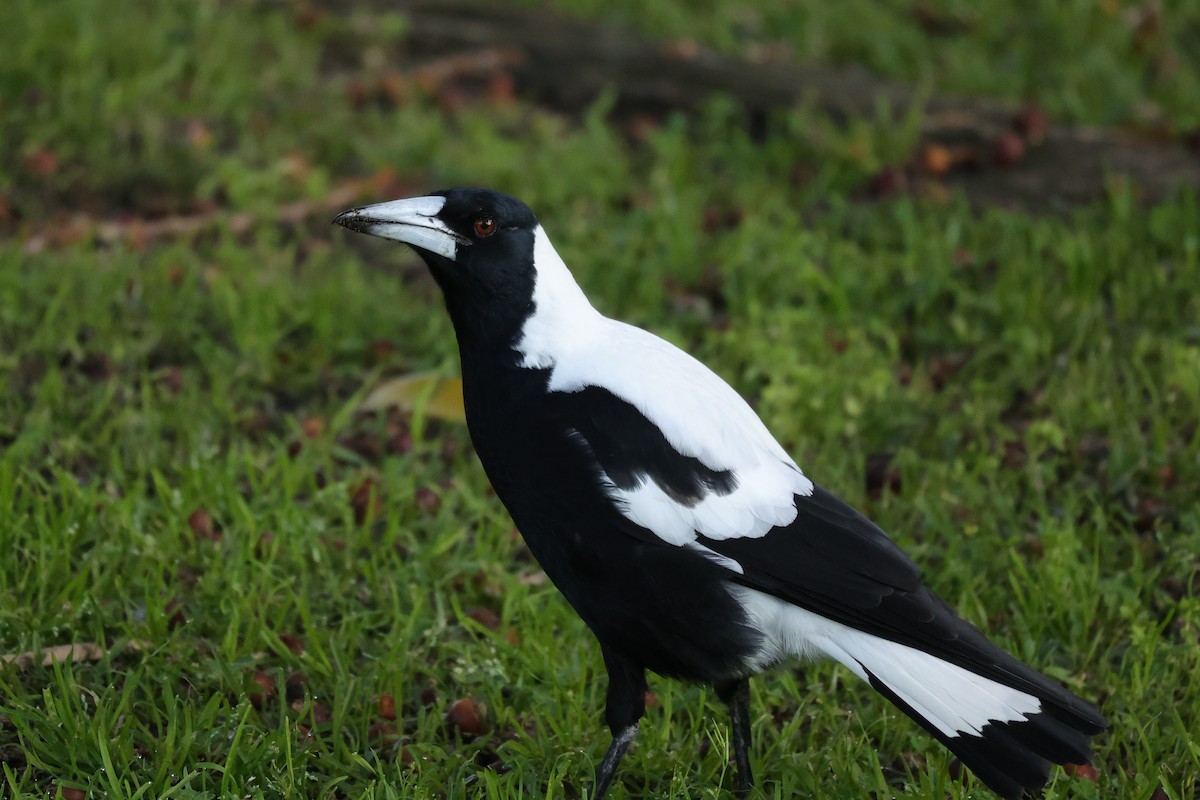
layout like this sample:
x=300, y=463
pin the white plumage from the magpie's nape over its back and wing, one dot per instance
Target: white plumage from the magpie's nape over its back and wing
x=700, y=416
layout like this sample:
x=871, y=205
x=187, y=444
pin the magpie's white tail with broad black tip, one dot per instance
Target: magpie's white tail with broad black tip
x=1007, y=727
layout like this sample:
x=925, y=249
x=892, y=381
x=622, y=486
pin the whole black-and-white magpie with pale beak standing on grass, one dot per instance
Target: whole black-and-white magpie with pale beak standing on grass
x=677, y=527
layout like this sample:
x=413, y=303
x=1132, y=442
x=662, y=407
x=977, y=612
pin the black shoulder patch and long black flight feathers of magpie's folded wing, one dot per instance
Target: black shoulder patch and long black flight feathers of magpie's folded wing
x=831, y=561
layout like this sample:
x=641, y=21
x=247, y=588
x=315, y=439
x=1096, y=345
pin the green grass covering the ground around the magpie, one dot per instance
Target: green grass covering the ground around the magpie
x=1037, y=382
